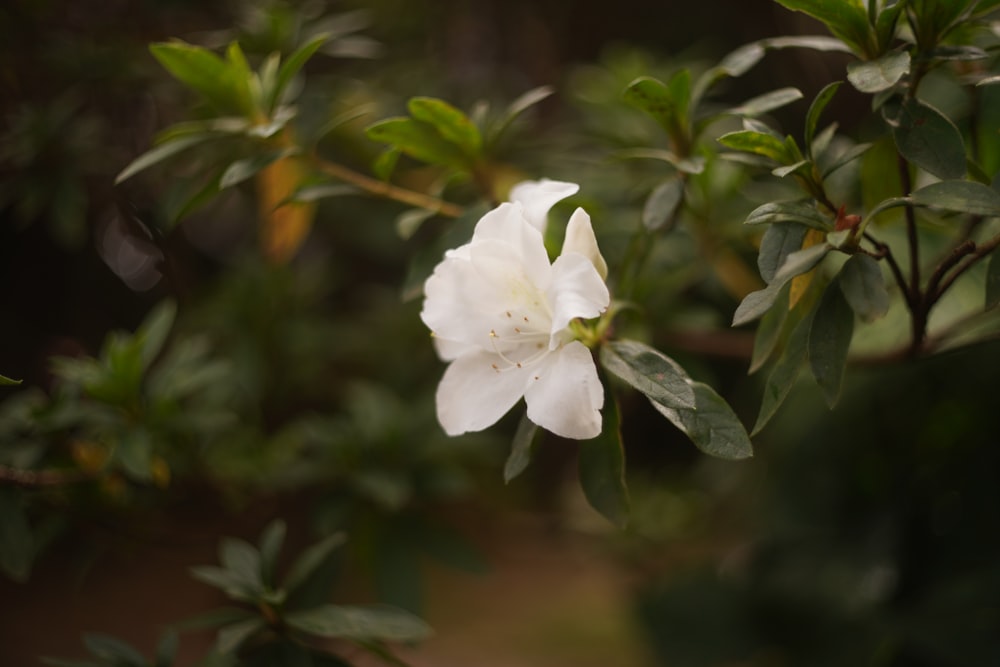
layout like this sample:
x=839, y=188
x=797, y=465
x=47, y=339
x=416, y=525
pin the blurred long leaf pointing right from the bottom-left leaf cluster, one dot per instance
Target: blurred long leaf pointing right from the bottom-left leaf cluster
x=356, y=623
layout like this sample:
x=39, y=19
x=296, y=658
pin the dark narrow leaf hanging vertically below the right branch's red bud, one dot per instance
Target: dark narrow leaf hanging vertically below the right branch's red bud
x=829, y=340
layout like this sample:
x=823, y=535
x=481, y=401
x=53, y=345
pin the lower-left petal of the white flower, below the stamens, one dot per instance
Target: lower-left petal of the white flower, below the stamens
x=473, y=395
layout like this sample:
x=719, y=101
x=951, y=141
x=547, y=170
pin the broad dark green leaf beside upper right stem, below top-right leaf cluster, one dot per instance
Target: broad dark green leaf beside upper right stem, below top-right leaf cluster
x=927, y=138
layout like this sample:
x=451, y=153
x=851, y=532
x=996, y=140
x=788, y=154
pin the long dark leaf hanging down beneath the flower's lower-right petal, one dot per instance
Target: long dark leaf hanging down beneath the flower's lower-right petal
x=602, y=467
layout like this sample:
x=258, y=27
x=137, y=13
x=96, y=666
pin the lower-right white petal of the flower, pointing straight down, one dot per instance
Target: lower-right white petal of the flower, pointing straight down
x=565, y=395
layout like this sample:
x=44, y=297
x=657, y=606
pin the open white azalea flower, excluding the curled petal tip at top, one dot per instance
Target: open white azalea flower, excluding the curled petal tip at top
x=500, y=312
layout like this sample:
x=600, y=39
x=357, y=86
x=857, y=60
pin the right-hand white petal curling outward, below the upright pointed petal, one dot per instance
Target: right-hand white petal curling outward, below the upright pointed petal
x=576, y=290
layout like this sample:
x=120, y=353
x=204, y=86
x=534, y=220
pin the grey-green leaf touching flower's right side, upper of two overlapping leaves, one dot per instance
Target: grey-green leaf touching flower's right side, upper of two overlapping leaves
x=650, y=371
